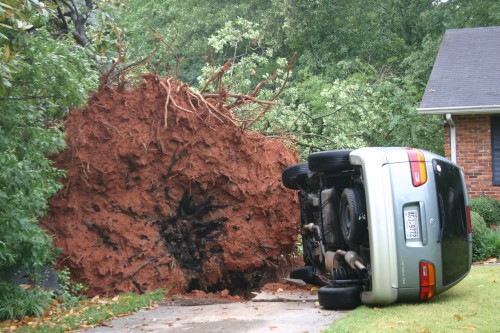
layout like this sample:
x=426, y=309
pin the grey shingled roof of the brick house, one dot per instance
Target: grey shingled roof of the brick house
x=466, y=74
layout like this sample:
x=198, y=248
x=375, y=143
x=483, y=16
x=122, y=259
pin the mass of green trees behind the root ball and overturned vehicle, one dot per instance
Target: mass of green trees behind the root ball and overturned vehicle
x=355, y=59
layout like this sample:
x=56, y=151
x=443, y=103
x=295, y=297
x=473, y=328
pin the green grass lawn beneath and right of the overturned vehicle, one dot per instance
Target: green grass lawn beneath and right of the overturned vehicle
x=472, y=305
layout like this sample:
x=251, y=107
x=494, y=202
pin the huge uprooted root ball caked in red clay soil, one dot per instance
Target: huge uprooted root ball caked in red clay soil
x=193, y=204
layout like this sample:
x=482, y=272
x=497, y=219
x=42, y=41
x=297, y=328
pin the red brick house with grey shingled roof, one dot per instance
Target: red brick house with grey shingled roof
x=464, y=87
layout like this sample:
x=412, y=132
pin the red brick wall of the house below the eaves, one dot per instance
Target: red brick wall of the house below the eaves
x=474, y=154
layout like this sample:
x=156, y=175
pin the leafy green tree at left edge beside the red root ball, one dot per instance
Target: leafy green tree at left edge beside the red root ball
x=48, y=76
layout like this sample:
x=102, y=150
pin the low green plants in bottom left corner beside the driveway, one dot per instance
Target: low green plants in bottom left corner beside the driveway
x=17, y=303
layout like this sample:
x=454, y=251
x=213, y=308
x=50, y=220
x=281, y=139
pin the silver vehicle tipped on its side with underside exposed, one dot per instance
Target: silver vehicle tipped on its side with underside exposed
x=381, y=225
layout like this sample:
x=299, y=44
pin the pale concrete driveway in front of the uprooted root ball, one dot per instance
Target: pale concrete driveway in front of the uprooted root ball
x=281, y=312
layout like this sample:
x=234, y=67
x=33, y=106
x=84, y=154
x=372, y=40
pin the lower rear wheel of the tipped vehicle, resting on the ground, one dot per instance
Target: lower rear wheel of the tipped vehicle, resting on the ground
x=339, y=298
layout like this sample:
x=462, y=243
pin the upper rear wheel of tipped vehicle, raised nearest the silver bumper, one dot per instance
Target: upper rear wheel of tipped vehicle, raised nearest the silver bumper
x=330, y=160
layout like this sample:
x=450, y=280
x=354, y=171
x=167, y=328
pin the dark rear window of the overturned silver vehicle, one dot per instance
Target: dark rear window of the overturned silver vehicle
x=453, y=222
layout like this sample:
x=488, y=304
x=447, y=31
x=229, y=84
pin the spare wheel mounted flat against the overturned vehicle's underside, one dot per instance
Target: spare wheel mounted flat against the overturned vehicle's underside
x=352, y=215
